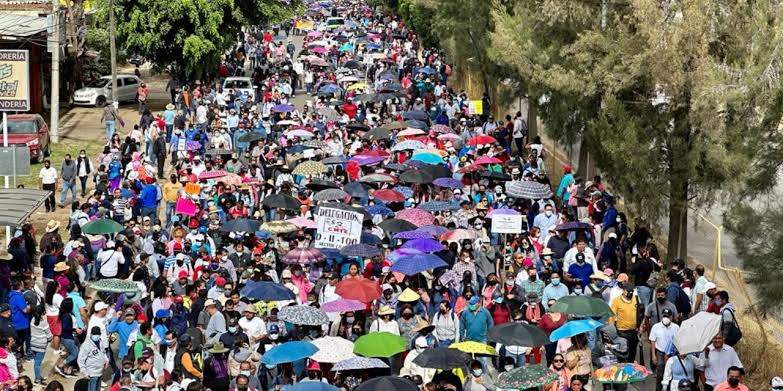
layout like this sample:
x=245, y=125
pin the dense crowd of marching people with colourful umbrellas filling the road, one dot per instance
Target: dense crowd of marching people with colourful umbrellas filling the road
x=198, y=255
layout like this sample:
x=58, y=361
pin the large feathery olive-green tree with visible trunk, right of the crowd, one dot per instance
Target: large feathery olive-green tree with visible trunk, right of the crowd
x=666, y=94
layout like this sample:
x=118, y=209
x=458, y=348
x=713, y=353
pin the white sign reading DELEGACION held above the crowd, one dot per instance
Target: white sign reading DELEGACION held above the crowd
x=337, y=228
